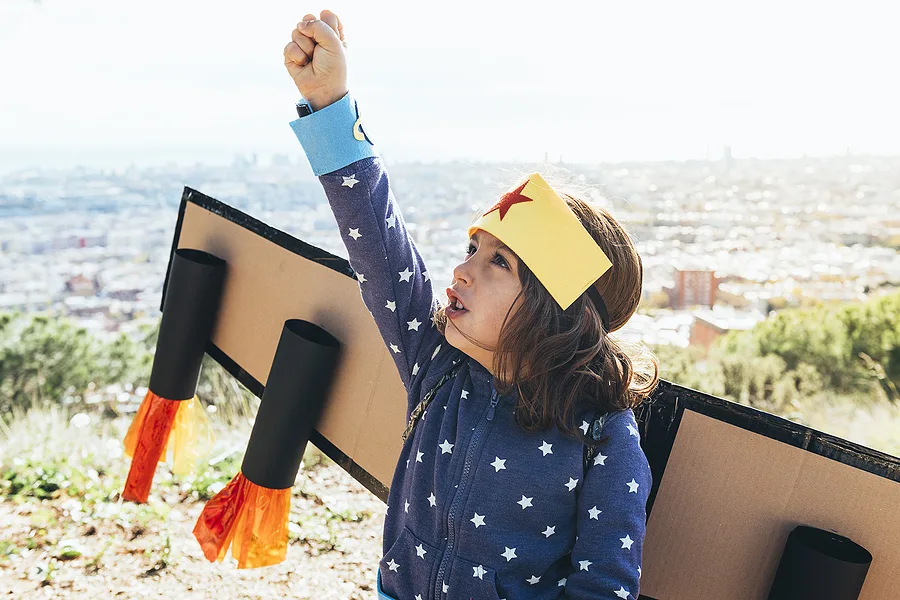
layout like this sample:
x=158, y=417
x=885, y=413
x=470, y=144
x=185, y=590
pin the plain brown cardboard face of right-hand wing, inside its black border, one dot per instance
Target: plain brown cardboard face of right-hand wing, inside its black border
x=728, y=500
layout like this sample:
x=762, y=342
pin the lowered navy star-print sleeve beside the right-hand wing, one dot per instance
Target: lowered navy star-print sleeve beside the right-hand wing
x=612, y=517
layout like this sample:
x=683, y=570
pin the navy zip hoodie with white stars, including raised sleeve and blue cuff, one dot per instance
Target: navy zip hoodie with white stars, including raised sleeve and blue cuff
x=478, y=508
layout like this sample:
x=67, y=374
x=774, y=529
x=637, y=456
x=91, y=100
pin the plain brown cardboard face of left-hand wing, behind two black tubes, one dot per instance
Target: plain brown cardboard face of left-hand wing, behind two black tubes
x=267, y=284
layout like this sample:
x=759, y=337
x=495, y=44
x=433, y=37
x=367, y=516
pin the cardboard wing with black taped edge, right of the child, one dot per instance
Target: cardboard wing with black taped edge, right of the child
x=731, y=482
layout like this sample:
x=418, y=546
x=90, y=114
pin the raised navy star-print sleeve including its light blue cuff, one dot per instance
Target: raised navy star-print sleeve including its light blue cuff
x=393, y=279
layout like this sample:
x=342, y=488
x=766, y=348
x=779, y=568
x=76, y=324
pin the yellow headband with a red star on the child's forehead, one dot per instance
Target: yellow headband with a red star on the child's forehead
x=538, y=225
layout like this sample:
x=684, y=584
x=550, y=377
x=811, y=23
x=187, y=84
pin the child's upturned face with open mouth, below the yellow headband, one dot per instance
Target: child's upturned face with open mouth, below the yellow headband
x=486, y=284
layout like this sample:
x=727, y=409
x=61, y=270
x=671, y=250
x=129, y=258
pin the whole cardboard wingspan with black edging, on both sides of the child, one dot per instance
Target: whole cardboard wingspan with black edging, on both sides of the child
x=730, y=482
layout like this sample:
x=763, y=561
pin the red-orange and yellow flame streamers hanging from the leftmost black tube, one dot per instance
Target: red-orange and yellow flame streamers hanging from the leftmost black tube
x=149, y=436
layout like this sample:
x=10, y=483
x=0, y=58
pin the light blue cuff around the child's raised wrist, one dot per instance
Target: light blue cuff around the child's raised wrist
x=333, y=137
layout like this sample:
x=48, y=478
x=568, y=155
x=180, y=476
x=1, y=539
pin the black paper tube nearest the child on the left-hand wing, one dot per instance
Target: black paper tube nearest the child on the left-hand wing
x=298, y=385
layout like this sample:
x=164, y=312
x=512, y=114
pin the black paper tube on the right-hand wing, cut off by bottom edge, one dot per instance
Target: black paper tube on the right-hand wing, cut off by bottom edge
x=820, y=565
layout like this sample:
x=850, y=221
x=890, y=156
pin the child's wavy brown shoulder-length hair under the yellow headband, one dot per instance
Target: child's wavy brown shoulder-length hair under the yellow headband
x=564, y=361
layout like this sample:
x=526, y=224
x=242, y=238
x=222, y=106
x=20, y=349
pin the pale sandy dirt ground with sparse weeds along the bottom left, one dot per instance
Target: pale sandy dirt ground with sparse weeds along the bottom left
x=51, y=549
